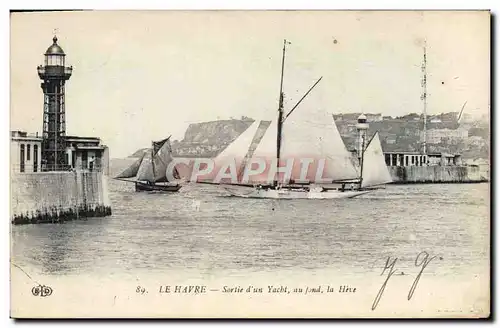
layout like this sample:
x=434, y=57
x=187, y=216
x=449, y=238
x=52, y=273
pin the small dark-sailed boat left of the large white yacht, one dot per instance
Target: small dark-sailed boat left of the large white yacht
x=149, y=172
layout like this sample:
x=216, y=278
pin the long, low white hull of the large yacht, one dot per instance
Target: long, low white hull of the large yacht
x=294, y=193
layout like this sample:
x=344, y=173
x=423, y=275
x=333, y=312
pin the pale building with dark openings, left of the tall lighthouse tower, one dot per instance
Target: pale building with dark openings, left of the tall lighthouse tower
x=25, y=152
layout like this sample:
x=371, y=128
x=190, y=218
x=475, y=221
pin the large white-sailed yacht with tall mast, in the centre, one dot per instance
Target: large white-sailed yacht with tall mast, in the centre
x=298, y=136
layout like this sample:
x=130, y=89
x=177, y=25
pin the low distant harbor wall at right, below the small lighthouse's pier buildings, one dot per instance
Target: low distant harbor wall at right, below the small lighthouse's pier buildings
x=437, y=174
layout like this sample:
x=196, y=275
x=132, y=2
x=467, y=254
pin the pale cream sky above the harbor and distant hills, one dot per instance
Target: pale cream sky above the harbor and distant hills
x=143, y=75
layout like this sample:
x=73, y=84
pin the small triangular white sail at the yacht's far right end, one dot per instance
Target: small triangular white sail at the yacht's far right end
x=375, y=171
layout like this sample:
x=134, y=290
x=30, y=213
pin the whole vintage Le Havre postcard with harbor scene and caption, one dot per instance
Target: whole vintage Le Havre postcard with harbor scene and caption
x=250, y=164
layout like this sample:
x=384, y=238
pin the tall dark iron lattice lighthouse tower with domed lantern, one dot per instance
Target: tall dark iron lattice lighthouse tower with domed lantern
x=54, y=76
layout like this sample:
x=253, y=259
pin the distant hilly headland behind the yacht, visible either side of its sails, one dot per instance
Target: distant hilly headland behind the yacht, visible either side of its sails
x=444, y=134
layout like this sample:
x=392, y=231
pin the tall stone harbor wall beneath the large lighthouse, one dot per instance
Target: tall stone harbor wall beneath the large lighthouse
x=50, y=197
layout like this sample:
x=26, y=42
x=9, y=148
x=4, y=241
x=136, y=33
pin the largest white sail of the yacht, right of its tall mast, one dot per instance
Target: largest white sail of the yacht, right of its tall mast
x=313, y=134
